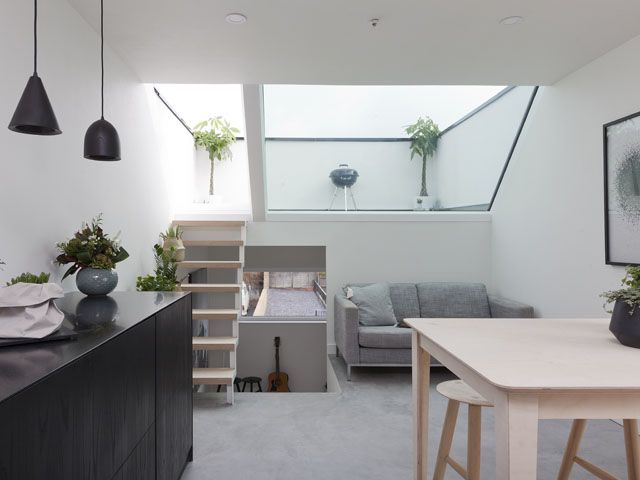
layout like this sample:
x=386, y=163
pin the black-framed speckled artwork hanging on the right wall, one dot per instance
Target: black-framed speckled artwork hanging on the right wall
x=622, y=191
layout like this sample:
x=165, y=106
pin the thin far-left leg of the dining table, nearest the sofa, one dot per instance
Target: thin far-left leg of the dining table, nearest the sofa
x=420, y=379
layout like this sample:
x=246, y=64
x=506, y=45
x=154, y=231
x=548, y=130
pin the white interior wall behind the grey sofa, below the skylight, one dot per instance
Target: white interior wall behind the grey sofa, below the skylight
x=360, y=251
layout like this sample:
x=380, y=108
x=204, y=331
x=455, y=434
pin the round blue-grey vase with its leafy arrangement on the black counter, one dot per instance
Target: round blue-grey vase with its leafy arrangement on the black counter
x=94, y=256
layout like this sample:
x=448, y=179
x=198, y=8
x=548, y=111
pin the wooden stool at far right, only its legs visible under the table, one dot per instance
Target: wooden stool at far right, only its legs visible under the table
x=573, y=444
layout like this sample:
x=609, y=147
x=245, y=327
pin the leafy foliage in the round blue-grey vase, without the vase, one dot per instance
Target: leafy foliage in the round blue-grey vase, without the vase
x=90, y=247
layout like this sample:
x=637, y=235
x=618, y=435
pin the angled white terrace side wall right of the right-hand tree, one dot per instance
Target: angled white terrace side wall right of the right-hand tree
x=471, y=156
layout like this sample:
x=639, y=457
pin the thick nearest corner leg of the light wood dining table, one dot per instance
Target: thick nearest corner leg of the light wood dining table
x=516, y=418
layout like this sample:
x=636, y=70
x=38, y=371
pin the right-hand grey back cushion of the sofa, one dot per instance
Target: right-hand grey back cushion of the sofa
x=451, y=300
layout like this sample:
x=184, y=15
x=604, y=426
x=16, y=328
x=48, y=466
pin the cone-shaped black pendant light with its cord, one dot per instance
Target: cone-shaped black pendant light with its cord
x=34, y=114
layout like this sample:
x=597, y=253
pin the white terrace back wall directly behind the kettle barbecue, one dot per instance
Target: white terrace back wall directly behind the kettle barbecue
x=297, y=175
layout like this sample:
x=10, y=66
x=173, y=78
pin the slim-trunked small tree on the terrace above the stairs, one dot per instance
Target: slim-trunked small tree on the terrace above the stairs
x=215, y=135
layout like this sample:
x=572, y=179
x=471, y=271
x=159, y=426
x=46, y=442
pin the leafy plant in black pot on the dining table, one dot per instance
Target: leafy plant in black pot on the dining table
x=625, y=318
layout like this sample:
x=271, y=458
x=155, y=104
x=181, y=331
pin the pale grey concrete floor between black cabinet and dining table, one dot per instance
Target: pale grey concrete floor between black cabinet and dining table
x=364, y=432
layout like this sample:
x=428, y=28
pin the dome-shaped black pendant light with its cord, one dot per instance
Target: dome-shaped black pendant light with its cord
x=101, y=142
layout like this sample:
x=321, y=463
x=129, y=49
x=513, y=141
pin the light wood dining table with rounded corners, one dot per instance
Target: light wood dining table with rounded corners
x=530, y=369
